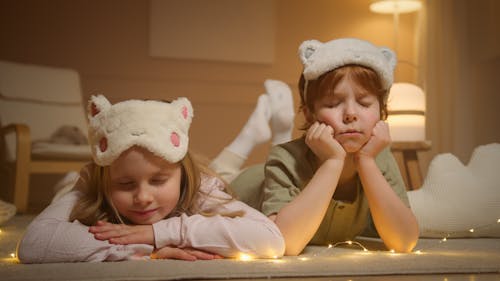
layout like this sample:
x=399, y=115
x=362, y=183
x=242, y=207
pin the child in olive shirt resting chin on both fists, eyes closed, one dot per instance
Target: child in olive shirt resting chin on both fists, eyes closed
x=340, y=177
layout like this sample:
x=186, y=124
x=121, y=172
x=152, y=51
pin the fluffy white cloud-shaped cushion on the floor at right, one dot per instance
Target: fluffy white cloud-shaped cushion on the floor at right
x=456, y=198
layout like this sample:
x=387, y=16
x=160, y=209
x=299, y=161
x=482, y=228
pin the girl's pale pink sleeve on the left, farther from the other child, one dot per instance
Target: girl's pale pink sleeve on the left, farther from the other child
x=50, y=237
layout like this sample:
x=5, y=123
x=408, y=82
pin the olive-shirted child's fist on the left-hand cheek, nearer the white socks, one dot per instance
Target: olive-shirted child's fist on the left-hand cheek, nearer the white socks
x=319, y=138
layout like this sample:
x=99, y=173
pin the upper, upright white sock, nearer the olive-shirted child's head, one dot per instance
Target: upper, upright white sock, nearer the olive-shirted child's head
x=282, y=110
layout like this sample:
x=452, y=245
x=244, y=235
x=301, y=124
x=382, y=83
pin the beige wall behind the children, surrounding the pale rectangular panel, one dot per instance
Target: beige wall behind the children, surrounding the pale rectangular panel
x=107, y=42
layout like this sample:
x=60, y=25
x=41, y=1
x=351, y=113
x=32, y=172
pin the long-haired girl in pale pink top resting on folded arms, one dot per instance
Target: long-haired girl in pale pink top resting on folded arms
x=145, y=196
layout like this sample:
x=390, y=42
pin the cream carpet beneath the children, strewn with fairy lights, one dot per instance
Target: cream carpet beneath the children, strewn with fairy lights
x=453, y=256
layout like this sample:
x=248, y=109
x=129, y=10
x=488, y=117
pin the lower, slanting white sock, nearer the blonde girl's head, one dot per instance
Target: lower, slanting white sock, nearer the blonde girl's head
x=255, y=131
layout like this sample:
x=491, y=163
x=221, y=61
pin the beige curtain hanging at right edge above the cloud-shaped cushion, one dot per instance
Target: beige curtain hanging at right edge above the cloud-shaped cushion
x=462, y=74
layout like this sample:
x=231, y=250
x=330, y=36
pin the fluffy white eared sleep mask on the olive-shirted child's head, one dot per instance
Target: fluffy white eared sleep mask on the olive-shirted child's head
x=318, y=57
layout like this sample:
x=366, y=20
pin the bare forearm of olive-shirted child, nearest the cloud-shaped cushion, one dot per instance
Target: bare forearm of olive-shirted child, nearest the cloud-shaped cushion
x=395, y=222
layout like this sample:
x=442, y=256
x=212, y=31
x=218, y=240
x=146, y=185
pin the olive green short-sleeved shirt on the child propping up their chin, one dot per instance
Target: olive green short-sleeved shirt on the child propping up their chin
x=287, y=171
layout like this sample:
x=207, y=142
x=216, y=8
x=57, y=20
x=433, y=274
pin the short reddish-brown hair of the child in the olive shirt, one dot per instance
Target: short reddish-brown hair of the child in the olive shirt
x=326, y=83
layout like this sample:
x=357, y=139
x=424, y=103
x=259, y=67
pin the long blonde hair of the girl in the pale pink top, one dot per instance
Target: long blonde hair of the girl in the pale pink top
x=95, y=204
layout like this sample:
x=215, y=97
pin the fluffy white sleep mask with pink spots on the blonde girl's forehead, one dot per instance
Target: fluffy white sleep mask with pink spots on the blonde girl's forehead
x=160, y=127
